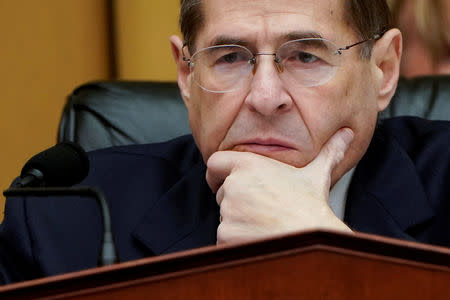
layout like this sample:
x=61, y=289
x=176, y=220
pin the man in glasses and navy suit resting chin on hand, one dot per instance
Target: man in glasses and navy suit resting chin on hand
x=281, y=111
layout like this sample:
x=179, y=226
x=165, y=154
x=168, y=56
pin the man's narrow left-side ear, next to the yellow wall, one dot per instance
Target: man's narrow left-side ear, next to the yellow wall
x=182, y=67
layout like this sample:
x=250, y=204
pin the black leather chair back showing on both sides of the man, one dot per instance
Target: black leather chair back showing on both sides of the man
x=103, y=114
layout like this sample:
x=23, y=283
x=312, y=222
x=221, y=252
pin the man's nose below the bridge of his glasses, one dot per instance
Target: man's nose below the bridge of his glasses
x=268, y=94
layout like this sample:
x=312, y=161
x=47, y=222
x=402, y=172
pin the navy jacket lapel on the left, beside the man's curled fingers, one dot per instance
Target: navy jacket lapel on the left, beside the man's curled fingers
x=185, y=217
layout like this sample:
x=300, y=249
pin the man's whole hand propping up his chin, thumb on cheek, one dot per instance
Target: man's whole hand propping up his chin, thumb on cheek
x=260, y=196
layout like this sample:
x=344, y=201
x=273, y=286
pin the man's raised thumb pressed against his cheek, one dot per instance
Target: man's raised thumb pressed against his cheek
x=332, y=153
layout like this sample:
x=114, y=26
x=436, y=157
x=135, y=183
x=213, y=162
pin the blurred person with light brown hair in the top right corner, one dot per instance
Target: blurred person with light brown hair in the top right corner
x=425, y=25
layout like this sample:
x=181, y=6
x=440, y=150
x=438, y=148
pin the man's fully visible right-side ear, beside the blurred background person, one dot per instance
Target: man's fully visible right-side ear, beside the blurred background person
x=386, y=54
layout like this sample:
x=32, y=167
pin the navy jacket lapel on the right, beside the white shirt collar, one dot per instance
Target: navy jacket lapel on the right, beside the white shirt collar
x=386, y=196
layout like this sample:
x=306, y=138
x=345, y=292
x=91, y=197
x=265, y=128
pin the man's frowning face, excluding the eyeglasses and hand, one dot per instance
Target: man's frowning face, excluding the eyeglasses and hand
x=286, y=122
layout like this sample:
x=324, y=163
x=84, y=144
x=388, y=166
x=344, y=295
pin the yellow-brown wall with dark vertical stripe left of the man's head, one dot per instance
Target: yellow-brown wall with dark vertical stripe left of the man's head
x=49, y=47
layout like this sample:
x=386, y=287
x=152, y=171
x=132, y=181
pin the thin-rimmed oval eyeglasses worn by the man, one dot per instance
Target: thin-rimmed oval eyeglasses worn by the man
x=306, y=62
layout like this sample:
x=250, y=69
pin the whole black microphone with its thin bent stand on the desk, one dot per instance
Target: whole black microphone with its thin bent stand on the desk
x=52, y=172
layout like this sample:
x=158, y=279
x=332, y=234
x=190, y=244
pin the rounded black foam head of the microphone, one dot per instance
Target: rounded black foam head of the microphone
x=64, y=164
